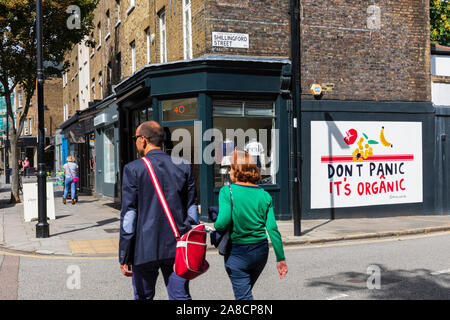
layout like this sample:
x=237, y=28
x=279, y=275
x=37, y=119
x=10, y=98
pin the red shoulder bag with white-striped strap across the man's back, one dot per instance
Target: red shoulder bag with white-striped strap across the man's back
x=190, y=255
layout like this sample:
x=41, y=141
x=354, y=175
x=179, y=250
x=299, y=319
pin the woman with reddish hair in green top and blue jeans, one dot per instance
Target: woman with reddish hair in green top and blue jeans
x=248, y=209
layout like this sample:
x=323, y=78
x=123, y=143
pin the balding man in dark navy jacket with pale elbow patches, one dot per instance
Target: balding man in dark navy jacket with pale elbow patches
x=147, y=242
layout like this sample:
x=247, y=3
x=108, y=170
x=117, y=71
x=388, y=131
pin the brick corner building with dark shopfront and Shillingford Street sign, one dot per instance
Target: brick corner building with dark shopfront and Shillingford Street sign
x=227, y=65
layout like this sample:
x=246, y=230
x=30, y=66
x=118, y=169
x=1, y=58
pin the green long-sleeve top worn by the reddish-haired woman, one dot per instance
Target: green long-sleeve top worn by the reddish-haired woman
x=252, y=215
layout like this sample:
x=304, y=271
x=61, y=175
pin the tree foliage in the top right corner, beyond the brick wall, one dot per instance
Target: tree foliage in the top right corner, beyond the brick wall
x=440, y=21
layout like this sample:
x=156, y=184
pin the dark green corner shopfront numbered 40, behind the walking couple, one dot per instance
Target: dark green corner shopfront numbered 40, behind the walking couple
x=191, y=98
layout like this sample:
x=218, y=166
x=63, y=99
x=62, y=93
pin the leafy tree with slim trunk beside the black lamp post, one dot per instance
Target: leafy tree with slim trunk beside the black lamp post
x=18, y=61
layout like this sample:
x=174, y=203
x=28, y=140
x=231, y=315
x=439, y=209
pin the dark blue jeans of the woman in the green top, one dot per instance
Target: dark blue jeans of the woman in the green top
x=244, y=264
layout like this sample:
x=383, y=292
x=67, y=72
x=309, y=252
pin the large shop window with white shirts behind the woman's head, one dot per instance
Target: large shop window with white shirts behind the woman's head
x=249, y=126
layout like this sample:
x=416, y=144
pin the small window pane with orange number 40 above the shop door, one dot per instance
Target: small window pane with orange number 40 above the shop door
x=179, y=109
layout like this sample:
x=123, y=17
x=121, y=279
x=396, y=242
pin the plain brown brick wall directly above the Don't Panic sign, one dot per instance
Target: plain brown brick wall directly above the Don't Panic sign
x=358, y=63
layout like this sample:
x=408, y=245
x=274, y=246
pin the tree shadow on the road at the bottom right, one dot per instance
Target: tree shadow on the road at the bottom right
x=393, y=284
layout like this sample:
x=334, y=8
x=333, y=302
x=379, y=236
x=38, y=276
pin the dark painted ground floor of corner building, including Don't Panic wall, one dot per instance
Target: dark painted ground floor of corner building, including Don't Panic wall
x=198, y=102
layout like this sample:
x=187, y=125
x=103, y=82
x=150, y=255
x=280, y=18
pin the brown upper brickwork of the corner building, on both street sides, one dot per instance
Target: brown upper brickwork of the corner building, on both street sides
x=352, y=59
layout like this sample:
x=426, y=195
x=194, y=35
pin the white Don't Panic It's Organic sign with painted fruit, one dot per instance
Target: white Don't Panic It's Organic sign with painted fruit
x=365, y=163
